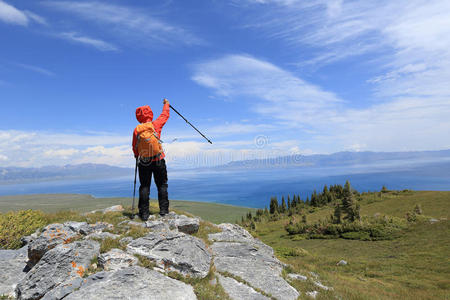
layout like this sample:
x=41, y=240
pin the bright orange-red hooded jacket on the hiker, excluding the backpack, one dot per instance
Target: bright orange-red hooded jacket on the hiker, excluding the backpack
x=144, y=114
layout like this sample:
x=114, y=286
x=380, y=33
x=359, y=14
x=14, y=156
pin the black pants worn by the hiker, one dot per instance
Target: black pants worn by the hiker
x=159, y=170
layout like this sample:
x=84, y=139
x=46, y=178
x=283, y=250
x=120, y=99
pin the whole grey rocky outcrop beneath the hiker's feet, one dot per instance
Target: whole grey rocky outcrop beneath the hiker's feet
x=61, y=254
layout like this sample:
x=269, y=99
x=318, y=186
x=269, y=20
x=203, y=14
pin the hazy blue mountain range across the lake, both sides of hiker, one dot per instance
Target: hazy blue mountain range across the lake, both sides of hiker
x=10, y=175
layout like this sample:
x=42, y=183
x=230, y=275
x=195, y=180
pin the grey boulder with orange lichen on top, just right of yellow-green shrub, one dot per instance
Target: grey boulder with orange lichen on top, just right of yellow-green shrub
x=51, y=236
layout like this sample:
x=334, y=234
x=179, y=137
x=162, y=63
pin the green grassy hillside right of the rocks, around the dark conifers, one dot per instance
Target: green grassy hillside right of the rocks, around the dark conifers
x=413, y=266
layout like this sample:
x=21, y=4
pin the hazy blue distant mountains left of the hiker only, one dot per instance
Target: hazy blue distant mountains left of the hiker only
x=47, y=173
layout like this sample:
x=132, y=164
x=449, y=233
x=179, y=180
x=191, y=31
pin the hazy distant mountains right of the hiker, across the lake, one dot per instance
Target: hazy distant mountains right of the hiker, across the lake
x=342, y=159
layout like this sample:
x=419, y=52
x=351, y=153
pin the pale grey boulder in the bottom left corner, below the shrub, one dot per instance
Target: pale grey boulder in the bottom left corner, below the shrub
x=12, y=264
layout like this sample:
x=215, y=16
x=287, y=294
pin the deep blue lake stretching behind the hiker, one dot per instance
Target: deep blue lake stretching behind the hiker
x=253, y=188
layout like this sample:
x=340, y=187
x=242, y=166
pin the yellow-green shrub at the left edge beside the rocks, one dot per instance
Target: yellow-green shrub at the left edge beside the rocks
x=14, y=225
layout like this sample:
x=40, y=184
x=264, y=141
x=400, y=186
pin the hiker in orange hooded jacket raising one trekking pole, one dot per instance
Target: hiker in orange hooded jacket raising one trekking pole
x=150, y=155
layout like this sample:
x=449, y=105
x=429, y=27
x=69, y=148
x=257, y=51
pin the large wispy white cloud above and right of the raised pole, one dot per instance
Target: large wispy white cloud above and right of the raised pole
x=283, y=94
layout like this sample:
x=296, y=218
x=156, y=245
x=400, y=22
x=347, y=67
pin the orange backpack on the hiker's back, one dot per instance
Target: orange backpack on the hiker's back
x=148, y=144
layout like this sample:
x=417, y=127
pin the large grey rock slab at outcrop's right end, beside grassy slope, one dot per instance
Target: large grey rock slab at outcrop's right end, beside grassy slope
x=237, y=253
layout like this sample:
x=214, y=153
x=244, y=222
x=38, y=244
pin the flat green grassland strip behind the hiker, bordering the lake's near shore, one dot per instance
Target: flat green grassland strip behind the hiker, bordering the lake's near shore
x=213, y=212
